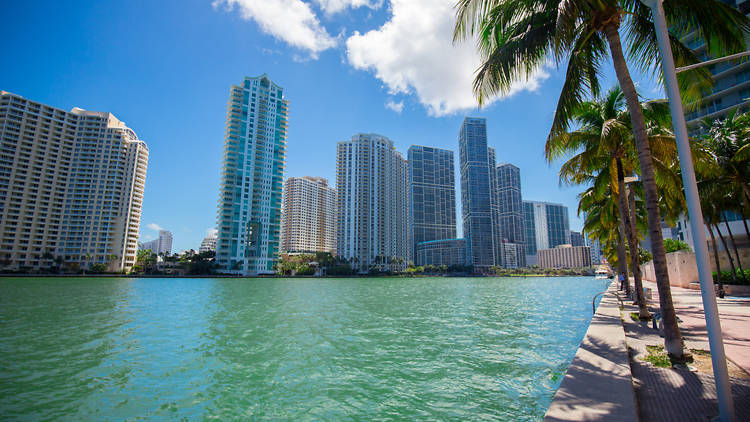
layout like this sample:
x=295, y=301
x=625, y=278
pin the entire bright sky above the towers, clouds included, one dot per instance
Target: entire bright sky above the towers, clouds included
x=165, y=68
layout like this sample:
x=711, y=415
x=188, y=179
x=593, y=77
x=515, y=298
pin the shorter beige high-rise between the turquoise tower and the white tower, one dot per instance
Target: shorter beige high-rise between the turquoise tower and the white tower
x=308, y=215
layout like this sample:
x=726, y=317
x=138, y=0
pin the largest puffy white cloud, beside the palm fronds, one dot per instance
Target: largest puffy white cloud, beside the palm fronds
x=413, y=53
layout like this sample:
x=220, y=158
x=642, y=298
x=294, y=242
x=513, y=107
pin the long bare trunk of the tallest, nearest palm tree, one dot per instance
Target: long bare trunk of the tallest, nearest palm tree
x=672, y=335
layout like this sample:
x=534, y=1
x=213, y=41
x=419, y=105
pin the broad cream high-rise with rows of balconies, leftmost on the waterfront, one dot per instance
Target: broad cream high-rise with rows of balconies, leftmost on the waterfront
x=71, y=187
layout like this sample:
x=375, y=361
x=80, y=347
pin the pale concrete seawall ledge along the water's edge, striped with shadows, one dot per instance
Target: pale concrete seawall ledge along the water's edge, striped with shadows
x=598, y=385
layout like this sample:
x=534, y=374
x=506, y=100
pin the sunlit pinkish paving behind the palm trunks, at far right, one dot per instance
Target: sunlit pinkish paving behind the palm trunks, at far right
x=734, y=313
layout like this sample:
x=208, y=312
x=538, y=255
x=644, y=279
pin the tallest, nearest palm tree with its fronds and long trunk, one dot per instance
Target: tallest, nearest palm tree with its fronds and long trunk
x=515, y=37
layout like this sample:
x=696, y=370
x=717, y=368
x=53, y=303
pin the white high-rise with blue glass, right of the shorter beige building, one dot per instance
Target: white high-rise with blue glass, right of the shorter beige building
x=371, y=183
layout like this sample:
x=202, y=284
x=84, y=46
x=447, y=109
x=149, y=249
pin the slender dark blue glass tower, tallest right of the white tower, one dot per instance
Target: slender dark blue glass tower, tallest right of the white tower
x=479, y=203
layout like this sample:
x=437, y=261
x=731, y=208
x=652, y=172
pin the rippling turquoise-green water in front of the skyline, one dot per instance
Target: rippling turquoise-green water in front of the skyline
x=288, y=349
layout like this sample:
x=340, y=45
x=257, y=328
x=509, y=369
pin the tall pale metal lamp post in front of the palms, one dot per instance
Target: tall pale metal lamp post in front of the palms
x=718, y=358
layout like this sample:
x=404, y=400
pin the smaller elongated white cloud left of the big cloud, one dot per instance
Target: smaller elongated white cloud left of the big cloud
x=291, y=21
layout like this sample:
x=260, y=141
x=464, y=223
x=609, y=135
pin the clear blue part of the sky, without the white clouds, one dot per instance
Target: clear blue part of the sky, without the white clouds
x=332, y=98
